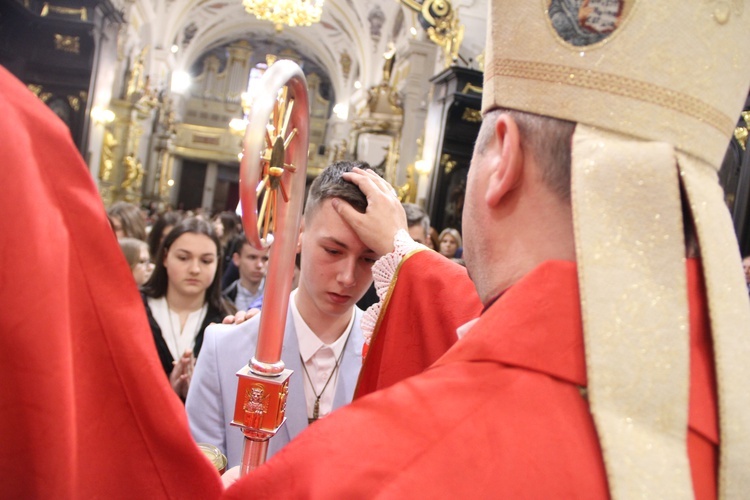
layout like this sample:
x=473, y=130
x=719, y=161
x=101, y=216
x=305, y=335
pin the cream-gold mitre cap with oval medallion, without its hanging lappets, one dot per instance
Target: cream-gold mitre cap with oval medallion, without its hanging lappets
x=610, y=63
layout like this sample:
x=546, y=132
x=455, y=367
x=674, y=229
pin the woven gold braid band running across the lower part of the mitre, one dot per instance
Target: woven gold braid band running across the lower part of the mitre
x=613, y=84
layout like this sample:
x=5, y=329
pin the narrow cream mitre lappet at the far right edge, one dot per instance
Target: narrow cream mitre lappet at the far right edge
x=729, y=315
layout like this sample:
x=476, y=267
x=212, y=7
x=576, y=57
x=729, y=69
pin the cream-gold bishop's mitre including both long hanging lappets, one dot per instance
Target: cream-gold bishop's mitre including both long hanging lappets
x=656, y=89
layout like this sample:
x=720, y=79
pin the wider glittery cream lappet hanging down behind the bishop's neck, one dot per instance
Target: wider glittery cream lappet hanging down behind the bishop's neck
x=631, y=268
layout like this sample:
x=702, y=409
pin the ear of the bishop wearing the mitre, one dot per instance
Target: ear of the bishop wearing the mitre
x=506, y=160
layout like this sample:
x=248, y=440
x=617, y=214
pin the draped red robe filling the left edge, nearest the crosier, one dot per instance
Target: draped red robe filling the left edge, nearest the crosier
x=86, y=411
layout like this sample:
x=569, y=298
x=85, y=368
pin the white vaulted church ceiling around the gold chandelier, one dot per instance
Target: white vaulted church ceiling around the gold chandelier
x=359, y=30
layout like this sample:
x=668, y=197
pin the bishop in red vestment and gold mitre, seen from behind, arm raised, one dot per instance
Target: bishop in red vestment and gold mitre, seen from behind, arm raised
x=592, y=369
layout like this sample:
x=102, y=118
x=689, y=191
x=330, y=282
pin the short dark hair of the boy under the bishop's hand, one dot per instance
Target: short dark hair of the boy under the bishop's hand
x=331, y=184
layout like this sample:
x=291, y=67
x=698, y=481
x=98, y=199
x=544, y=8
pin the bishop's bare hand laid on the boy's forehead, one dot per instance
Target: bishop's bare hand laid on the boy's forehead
x=384, y=216
